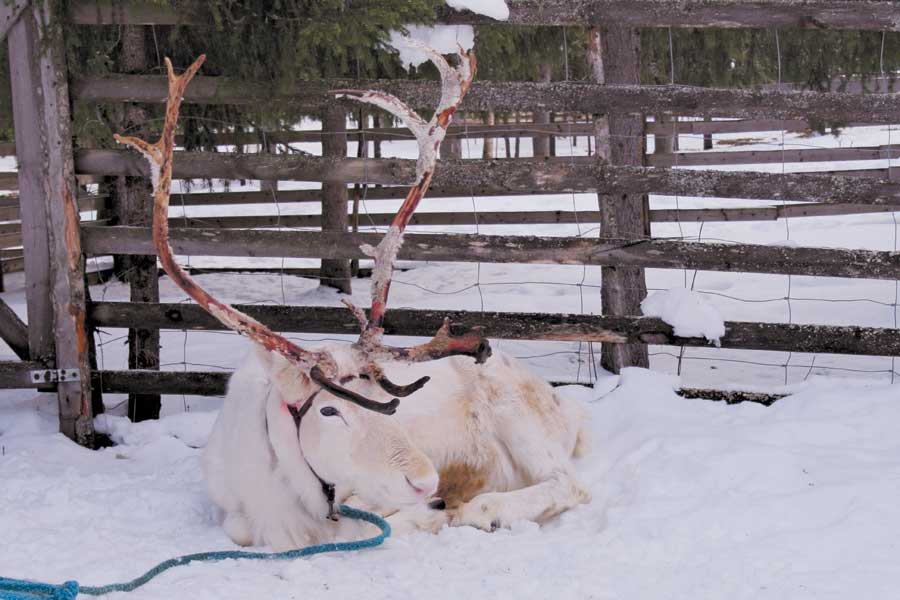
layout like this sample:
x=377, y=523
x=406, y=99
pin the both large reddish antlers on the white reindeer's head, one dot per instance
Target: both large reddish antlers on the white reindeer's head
x=320, y=367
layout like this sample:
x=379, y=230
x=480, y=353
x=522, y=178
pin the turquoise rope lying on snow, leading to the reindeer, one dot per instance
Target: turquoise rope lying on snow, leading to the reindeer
x=20, y=589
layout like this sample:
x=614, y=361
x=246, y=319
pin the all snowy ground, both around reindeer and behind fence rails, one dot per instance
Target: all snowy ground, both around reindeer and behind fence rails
x=690, y=498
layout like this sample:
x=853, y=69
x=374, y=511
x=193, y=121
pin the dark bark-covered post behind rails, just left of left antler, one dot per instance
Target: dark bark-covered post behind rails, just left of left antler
x=133, y=205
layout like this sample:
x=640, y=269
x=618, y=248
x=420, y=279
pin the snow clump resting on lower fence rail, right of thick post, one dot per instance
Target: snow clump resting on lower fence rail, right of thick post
x=689, y=313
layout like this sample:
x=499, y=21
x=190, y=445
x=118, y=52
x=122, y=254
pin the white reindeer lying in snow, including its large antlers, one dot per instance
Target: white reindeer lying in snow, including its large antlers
x=484, y=443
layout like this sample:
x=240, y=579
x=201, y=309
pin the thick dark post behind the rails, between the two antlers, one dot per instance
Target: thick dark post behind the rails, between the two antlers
x=334, y=272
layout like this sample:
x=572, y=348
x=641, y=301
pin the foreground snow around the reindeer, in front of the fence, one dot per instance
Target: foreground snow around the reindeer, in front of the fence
x=691, y=499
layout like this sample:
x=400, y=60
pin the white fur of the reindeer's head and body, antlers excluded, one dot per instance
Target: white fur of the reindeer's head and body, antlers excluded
x=496, y=419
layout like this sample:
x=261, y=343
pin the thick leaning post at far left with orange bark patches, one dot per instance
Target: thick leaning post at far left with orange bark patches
x=54, y=267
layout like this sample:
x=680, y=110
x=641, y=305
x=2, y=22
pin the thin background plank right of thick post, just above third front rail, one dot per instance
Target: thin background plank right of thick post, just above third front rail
x=744, y=157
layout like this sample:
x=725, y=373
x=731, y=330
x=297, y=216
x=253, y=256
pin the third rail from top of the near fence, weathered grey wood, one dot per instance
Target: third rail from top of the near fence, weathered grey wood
x=503, y=176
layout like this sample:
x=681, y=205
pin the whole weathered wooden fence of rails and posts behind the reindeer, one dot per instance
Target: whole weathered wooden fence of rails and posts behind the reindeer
x=56, y=344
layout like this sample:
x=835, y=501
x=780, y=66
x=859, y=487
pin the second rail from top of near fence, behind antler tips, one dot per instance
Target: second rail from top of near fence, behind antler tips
x=561, y=96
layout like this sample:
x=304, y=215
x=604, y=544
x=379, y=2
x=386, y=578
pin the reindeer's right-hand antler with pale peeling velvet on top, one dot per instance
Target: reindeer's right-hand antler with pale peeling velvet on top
x=455, y=83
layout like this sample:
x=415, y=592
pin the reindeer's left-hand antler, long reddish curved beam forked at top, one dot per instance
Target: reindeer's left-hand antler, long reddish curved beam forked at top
x=160, y=156
